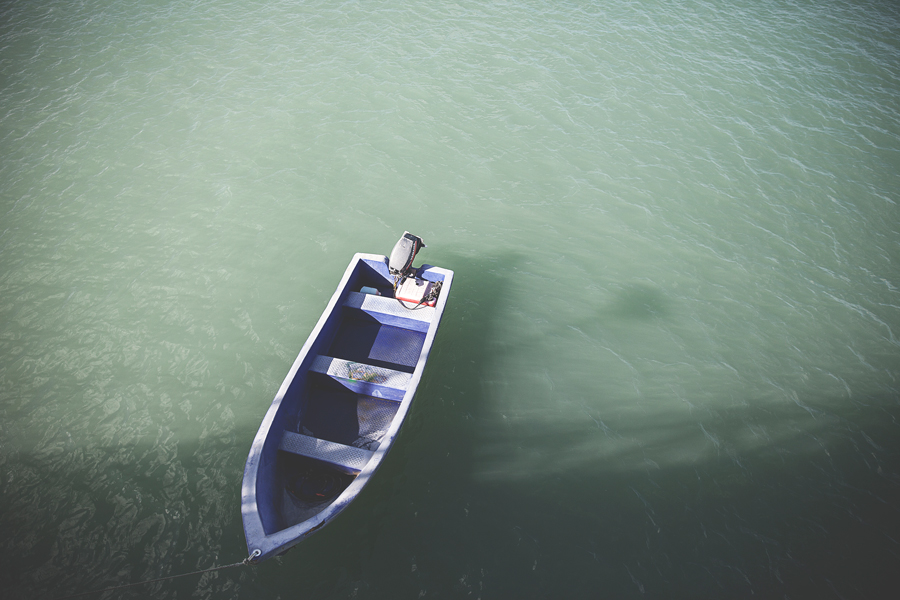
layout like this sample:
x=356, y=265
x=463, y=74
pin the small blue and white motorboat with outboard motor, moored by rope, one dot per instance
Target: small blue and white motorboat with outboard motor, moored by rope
x=341, y=406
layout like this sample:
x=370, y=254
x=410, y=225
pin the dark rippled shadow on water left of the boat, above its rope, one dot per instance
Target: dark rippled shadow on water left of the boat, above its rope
x=81, y=518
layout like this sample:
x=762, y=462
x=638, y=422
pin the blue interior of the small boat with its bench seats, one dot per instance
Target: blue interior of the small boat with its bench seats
x=344, y=398
